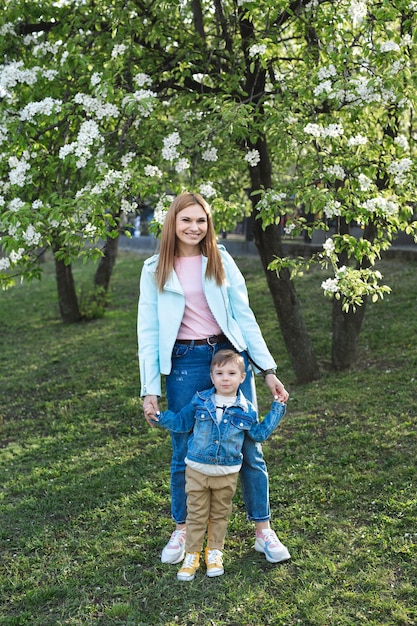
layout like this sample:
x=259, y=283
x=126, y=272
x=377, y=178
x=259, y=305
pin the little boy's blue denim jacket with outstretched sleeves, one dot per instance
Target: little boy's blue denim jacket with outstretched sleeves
x=220, y=444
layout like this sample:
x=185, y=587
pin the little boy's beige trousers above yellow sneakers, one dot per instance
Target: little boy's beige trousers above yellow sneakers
x=209, y=503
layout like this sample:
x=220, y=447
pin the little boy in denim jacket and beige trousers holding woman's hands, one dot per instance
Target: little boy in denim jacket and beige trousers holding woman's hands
x=218, y=419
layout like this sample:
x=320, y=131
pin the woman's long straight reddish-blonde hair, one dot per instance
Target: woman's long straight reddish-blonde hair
x=168, y=245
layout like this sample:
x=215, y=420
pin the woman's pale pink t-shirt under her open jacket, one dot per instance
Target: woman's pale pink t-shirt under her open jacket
x=198, y=321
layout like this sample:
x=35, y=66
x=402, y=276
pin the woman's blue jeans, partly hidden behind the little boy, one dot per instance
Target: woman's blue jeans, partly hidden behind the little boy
x=191, y=373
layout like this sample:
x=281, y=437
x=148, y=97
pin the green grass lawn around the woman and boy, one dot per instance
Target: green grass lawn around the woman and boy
x=84, y=500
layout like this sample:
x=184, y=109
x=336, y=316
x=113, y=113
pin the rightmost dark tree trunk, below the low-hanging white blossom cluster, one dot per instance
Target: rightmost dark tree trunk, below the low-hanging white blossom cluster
x=346, y=331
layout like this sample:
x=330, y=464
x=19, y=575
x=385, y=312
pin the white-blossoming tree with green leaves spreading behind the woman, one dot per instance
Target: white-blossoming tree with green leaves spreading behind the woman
x=302, y=109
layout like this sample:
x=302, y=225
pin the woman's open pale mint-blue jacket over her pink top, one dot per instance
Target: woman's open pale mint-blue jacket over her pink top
x=160, y=314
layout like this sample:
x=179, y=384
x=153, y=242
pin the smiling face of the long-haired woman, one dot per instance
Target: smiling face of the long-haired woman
x=190, y=229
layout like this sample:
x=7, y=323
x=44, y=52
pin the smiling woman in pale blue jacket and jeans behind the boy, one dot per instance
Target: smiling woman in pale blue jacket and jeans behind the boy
x=193, y=301
